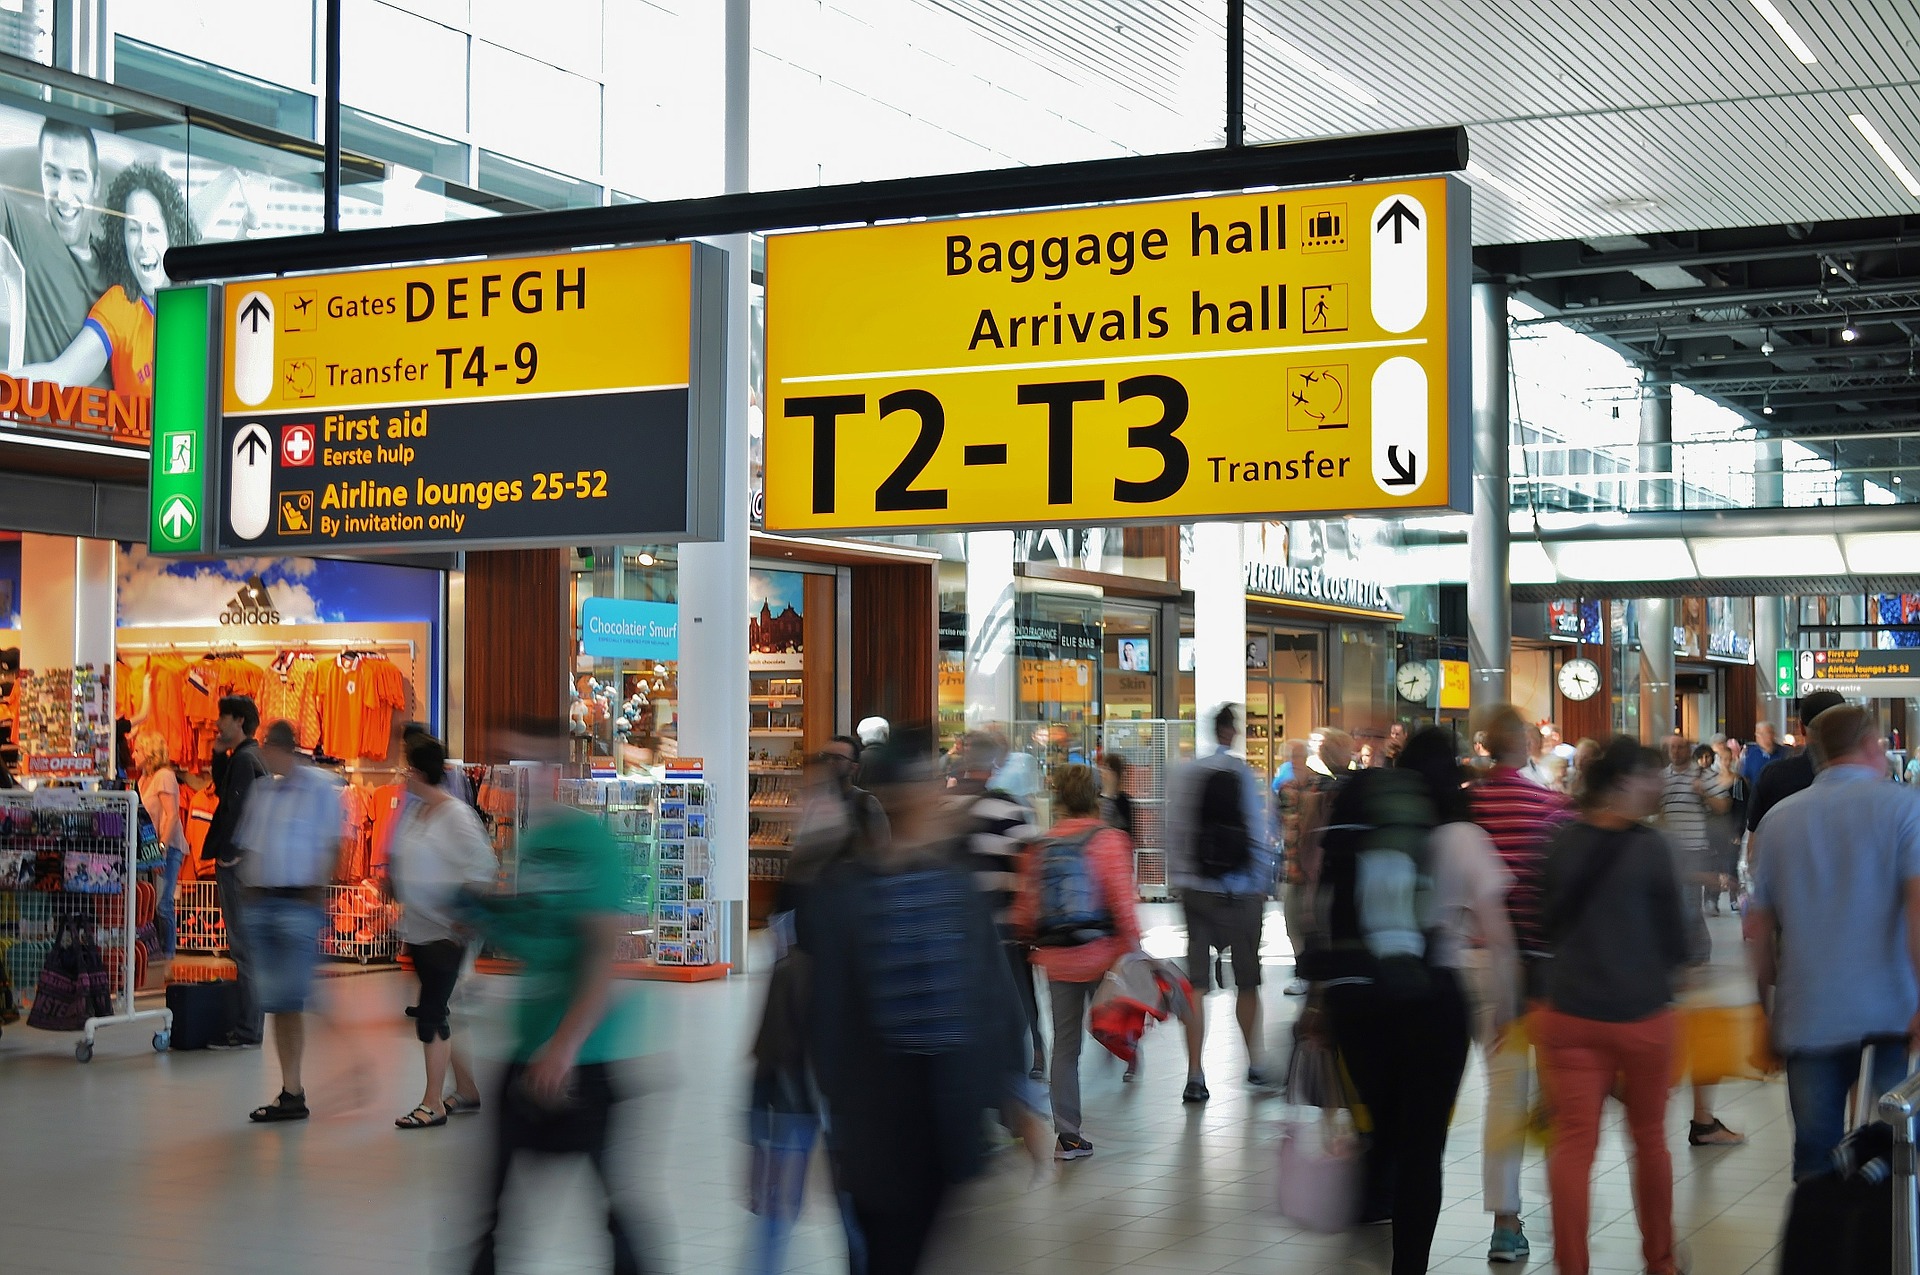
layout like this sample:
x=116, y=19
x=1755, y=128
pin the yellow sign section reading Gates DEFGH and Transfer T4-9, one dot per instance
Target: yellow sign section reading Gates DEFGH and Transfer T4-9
x=523, y=327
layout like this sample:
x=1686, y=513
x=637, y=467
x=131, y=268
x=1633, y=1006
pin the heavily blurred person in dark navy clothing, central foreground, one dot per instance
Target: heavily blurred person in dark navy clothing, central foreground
x=913, y=1028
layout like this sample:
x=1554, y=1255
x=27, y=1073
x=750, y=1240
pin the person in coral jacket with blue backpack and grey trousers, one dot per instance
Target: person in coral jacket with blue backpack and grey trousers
x=1076, y=907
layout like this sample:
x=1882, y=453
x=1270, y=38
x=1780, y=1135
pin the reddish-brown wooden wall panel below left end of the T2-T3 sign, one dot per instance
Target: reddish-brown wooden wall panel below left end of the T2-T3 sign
x=894, y=644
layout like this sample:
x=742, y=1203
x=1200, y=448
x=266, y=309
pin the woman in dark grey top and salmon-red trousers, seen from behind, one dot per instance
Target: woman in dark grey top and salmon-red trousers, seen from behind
x=1612, y=913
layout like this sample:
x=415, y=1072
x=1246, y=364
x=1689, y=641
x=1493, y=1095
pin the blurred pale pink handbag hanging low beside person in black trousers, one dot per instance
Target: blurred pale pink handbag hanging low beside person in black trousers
x=1322, y=1155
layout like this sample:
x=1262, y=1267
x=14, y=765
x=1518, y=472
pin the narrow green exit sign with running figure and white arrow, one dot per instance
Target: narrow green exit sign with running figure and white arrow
x=178, y=477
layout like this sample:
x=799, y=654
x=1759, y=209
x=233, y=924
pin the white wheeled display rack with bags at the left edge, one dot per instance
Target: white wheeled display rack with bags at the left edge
x=93, y=840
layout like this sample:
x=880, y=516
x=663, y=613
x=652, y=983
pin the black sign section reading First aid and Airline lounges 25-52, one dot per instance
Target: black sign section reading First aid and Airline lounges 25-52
x=565, y=469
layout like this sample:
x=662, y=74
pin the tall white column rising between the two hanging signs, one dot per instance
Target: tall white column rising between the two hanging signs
x=713, y=577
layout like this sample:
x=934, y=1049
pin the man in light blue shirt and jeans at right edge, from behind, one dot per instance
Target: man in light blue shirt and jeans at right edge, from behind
x=1836, y=944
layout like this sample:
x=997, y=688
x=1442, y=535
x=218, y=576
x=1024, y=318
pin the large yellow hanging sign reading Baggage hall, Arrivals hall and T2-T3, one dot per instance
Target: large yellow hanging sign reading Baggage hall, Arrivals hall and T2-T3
x=1220, y=358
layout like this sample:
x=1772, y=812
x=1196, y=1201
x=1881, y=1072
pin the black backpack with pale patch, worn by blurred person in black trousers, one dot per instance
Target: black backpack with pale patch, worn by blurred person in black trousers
x=1378, y=873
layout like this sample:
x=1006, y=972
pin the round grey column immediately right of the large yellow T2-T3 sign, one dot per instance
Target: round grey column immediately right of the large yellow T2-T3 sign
x=1489, y=587
